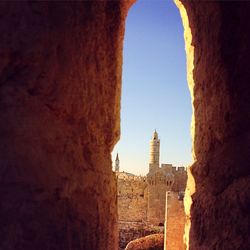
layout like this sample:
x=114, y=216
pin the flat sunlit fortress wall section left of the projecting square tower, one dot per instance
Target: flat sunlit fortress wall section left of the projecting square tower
x=132, y=199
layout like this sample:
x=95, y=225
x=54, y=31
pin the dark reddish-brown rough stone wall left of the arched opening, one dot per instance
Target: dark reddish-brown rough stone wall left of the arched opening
x=60, y=74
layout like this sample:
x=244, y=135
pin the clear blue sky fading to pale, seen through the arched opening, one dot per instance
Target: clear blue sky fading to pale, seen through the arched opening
x=155, y=93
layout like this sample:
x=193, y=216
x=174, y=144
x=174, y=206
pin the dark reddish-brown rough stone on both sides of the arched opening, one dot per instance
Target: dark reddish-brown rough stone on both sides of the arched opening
x=60, y=73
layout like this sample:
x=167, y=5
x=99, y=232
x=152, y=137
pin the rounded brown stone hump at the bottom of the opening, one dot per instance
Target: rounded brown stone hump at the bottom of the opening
x=151, y=242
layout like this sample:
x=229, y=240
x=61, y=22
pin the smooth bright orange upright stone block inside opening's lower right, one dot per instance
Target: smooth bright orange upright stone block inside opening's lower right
x=175, y=222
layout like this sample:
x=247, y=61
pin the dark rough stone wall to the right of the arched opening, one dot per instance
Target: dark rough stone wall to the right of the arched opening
x=220, y=211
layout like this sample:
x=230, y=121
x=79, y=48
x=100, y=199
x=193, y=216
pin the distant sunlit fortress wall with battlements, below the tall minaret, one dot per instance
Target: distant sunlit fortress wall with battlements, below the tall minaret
x=143, y=198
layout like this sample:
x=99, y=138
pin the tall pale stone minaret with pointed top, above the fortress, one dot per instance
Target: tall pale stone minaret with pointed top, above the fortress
x=154, y=163
